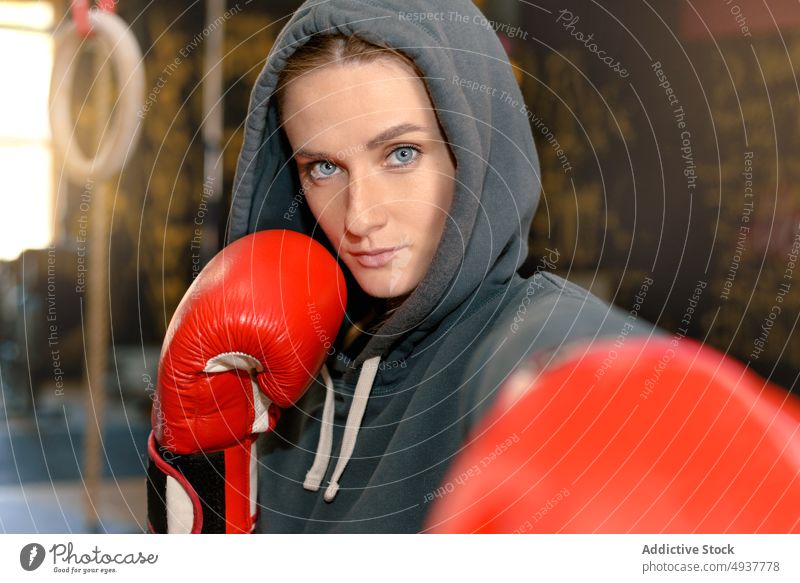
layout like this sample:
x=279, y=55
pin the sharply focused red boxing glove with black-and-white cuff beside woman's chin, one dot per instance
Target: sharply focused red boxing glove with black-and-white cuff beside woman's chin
x=248, y=338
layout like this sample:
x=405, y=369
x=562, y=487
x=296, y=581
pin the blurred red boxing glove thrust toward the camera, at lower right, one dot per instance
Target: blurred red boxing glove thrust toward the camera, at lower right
x=659, y=436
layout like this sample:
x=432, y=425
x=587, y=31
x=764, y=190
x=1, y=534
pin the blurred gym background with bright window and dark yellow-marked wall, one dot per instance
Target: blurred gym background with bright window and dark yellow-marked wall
x=666, y=133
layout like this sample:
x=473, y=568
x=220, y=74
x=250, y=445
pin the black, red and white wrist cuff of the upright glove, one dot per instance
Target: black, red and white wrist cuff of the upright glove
x=202, y=492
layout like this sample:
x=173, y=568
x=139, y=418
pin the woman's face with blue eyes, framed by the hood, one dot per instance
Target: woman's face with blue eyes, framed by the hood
x=376, y=171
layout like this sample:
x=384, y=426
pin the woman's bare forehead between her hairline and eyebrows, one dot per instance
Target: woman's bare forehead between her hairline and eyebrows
x=344, y=98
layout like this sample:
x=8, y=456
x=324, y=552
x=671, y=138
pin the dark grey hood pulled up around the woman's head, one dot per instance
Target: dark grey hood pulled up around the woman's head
x=482, y=113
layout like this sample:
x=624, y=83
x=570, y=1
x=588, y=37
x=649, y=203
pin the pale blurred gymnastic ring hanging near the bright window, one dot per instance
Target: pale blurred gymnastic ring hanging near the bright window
x=121, y=46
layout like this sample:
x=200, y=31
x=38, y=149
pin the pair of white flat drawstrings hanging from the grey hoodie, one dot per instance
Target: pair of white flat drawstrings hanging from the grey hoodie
x=322, y=457
